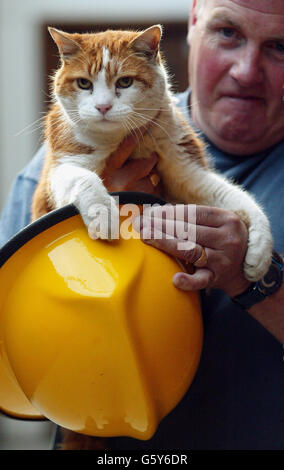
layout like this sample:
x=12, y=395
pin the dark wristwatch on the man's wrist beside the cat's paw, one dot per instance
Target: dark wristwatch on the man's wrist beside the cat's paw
x=268, y=285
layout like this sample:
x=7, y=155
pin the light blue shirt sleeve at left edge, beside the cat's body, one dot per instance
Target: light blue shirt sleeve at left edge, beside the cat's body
x=16, y=213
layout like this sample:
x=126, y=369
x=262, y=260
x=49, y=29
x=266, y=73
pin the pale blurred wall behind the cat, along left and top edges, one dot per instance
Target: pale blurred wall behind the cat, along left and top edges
x=21, y=62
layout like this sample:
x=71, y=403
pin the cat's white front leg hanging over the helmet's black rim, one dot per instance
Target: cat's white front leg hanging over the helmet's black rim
x=73, y=184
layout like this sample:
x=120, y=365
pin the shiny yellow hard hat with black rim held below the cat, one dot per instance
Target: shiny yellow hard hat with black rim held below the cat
x=93, y=334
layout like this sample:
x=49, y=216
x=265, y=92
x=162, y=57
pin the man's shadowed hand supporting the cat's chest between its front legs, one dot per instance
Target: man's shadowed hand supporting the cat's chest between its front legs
x=122, y=174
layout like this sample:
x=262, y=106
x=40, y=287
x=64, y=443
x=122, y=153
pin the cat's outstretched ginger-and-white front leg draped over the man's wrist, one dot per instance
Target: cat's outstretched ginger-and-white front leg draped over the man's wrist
x=195, y=184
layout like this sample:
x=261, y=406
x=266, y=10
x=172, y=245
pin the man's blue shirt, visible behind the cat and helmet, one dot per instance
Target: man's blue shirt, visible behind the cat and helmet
x=236, y=400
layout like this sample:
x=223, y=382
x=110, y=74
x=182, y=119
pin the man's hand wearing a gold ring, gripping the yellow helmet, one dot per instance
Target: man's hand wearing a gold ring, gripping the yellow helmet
x=184, y=230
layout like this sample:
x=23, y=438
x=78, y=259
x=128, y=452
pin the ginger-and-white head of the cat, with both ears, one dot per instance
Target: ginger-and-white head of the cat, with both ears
x=111, y=80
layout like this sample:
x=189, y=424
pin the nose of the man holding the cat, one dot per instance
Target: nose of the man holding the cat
x=247, y=70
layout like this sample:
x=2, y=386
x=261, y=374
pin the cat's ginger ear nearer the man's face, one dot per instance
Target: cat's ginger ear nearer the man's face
x=147, y=43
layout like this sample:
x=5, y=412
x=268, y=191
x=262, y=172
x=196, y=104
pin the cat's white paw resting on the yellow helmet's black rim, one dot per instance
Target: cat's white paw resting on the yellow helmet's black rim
x=103, y=220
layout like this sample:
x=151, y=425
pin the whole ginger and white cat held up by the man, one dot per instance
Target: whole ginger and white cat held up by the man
x=109, y=85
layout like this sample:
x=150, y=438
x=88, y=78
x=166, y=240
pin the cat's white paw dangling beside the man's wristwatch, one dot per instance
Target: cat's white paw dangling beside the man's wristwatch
x=259, y=253
